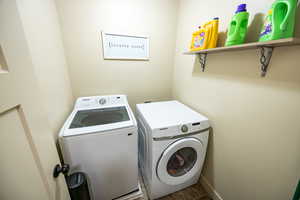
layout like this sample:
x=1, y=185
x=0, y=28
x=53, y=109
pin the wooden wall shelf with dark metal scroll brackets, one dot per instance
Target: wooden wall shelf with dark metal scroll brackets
x=265, y=47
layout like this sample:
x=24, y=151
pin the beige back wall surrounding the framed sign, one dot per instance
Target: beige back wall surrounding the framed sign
x=82, y=23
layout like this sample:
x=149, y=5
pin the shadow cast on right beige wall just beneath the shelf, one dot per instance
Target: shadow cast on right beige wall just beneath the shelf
x=245, y=66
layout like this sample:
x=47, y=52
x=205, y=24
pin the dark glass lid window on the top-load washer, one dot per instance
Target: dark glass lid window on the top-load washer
x=94, y=117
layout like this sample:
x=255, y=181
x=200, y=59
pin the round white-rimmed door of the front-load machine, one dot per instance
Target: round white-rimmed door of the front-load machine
x=181, y=161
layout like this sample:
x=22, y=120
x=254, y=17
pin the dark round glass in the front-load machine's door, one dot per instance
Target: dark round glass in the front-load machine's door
x=182, y=161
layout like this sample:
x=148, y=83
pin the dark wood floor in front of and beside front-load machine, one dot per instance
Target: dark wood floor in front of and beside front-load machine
x=194, y=192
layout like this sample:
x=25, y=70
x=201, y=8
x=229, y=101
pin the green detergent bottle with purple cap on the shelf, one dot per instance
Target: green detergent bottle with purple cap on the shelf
x=238, y=26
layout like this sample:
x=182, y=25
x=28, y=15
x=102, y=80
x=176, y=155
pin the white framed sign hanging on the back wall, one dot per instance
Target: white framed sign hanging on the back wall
x=125, y=47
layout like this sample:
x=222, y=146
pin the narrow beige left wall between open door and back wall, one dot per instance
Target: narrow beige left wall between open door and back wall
x=42, y=31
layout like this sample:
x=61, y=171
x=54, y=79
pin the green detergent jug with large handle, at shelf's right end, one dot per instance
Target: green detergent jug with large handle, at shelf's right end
x=280, y=21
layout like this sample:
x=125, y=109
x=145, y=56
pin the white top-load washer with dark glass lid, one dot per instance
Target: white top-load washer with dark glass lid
x=99, y=138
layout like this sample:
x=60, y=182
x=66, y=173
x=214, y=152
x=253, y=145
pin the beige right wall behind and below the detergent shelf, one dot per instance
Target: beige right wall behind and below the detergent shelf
x=254, y=147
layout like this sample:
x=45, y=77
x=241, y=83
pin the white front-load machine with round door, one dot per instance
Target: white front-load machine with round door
x=162, y=142
